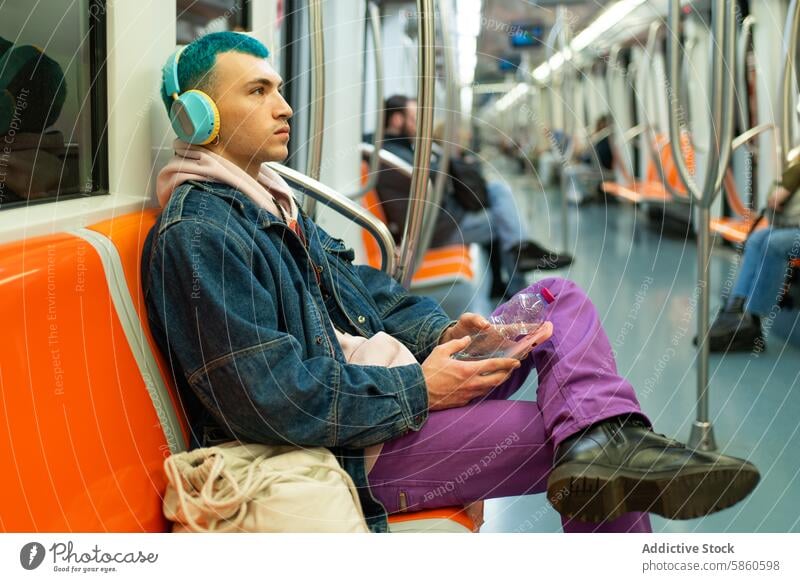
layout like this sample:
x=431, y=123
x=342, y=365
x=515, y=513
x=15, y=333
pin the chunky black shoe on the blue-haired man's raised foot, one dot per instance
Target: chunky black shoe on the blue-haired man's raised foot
x=617, y=466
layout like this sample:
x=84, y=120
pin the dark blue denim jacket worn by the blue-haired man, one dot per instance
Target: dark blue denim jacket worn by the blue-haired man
x=234, y=304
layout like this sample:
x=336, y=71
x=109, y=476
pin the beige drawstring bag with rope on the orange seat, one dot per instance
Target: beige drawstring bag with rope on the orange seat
x=236, y=487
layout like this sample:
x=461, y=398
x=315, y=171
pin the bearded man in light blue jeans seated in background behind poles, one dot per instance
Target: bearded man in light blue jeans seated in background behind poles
x=455, y=224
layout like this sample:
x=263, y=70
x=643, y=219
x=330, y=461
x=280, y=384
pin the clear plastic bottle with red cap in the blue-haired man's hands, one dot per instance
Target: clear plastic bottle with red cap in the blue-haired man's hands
x=520, y=316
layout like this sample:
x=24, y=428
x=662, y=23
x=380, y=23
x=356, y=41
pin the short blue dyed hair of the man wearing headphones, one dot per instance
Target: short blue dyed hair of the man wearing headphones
x=198, y=58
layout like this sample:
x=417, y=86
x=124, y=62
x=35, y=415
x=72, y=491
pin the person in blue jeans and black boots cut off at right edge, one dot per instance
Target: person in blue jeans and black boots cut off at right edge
x=759, y=285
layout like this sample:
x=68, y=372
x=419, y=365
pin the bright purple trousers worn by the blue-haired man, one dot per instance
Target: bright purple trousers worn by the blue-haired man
x=496, y=447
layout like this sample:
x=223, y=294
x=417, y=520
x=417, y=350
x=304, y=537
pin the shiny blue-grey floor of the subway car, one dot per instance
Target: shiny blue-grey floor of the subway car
x=643, y=285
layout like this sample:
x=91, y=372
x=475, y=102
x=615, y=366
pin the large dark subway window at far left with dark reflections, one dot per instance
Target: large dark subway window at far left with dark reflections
x=52, y=106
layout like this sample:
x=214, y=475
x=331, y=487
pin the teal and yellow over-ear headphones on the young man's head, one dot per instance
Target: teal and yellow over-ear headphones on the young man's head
x=194, y=115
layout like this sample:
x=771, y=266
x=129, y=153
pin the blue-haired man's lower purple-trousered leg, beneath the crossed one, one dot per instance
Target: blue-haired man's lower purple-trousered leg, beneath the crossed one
x=484, y=450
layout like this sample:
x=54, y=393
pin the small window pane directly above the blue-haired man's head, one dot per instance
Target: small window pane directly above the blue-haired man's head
x=199, y=17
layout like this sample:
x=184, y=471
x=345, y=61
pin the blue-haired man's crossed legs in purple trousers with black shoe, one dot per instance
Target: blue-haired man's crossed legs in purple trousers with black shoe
x=609, y=466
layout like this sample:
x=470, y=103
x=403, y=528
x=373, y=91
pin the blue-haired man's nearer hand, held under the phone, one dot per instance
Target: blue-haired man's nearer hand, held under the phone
x=452, y=383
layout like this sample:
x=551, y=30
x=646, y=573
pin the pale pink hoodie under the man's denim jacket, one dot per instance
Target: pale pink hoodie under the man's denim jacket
x=192, y=162
